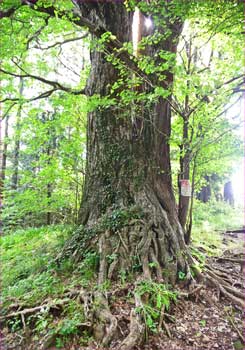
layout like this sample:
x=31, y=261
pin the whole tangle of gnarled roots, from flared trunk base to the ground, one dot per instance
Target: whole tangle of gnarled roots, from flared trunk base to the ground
x=148, y=247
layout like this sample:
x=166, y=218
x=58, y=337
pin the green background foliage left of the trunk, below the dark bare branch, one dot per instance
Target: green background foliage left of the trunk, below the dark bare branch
x=50, y=163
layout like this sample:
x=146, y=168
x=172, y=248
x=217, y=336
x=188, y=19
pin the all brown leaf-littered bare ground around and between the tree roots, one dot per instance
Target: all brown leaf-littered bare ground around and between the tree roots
x=206, y=320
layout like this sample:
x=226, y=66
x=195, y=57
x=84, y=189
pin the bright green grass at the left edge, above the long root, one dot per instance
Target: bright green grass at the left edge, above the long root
x=26, y=259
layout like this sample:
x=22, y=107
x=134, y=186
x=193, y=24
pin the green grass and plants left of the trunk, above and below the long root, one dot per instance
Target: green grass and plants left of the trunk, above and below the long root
x=30, y=277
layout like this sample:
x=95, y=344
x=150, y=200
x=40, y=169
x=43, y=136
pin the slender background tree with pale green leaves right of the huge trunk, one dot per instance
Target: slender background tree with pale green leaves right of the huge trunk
x=203, y=86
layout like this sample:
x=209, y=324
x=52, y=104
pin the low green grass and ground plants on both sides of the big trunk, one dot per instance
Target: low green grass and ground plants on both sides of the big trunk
x=31, y=276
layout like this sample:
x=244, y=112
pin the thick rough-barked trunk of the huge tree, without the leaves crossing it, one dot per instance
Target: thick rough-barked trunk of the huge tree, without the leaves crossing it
x=128, y=168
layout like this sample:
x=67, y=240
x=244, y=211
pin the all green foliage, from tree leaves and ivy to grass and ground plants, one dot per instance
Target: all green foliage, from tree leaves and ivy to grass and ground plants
x=47, y=150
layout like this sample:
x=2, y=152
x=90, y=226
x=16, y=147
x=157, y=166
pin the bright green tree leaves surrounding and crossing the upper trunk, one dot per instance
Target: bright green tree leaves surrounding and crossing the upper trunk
x=61, y=172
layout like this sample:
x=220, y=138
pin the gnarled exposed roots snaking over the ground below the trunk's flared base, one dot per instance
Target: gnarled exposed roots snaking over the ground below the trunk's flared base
x=104, y=325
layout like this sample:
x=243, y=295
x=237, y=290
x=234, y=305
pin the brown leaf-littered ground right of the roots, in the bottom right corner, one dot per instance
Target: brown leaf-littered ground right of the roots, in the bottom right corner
x=209, y=322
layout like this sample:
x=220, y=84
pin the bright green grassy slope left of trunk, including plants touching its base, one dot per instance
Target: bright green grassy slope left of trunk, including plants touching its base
x=29, y=274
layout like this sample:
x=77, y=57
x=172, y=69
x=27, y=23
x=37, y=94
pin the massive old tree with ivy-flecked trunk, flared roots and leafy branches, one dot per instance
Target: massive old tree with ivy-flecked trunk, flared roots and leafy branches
x=128, y=211
